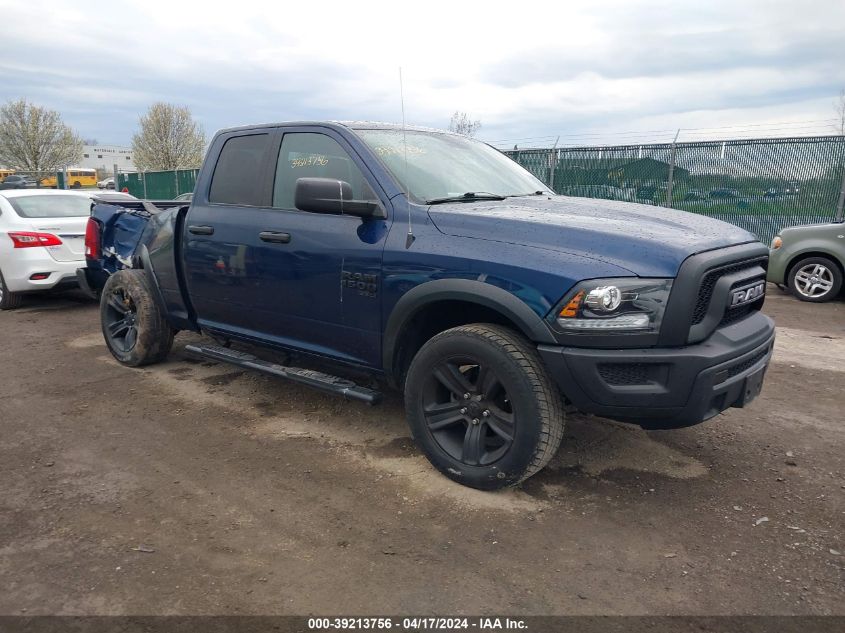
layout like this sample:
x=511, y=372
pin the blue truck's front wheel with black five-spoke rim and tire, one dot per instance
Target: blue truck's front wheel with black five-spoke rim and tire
x=482, y=407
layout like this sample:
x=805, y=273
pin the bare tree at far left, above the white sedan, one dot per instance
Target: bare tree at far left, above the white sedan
x=35, y=139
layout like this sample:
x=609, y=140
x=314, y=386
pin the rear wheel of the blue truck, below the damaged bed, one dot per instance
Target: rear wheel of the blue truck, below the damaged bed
x=134, y=327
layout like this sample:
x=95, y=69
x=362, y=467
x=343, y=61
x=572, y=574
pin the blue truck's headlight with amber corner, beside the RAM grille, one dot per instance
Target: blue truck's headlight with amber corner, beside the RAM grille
x=614, y=306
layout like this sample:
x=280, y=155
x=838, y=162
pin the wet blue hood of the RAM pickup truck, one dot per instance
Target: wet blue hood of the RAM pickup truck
x=647, y=240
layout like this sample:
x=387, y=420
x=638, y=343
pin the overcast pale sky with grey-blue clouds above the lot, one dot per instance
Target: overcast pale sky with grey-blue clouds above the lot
x=589, y=71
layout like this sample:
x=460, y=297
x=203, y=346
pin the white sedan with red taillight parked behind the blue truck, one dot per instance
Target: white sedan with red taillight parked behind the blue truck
x=42, y=240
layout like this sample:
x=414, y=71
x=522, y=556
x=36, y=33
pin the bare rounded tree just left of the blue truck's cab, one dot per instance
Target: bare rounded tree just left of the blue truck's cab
x=169, y=138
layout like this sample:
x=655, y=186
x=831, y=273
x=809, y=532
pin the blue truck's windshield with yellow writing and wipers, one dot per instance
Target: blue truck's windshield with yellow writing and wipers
x=447, y=165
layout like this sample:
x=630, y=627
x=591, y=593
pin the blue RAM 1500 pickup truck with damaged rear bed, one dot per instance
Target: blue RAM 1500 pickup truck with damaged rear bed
x=369, y=255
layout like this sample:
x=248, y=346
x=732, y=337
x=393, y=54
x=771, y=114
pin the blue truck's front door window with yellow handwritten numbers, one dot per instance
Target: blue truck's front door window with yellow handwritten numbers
x=312, y=155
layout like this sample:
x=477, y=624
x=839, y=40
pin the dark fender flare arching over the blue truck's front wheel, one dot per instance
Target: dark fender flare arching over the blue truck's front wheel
x=471, y=291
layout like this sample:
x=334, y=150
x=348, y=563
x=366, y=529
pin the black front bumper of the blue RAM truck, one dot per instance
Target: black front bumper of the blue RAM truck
x=667, y=387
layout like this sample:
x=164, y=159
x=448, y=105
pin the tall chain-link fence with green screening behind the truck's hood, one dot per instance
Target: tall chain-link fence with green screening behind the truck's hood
x=762, y=185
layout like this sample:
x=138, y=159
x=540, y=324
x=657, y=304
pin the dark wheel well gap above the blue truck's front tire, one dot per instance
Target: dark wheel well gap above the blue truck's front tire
x=434, y=318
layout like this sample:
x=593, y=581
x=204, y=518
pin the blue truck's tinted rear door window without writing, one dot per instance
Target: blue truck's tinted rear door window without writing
x=237, y=176
